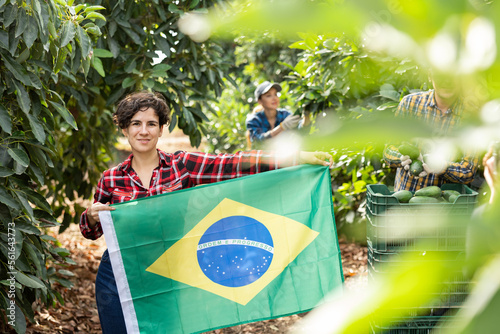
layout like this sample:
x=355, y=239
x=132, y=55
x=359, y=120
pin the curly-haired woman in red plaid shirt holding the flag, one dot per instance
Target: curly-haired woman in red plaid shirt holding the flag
x=148, y=171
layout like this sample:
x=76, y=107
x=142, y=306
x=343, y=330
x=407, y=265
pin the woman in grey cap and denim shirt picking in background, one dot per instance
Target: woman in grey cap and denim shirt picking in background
x=269, y=120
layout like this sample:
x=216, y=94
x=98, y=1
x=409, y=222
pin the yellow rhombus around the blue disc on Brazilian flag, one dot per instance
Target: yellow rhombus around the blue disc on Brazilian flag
x=180, y=262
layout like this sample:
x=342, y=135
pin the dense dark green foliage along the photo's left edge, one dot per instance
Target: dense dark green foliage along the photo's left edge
x=41, y=45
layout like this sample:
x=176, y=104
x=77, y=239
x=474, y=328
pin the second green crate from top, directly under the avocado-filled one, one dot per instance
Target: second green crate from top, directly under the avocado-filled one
x=419, y=231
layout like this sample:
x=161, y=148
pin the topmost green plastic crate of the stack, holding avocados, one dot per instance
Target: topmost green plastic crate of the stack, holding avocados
x=381, y=202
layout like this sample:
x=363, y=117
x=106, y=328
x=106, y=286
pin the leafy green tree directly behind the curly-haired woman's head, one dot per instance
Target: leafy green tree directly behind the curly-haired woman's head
x=138, y=47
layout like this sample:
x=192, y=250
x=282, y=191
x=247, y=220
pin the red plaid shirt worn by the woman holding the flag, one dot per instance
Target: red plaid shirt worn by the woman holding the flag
x=179, y=170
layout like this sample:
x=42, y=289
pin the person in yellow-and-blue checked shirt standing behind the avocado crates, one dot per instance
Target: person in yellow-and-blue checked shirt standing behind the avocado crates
x=442, y=107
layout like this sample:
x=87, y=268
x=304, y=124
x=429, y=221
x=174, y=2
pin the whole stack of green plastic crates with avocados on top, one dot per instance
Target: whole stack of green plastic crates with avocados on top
x=394, y=229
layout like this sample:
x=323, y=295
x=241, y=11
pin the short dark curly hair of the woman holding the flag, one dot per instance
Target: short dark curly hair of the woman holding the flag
x=139, y=101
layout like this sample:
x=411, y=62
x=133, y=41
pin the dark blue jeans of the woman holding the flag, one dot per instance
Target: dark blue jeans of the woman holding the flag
x=108, y=302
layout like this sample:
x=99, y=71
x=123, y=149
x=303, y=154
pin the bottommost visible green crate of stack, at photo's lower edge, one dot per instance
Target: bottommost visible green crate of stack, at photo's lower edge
x=415, y=325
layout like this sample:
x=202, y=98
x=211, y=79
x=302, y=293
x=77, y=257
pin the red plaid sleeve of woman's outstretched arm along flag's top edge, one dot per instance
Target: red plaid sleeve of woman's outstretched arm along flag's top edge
x=209, y=168
